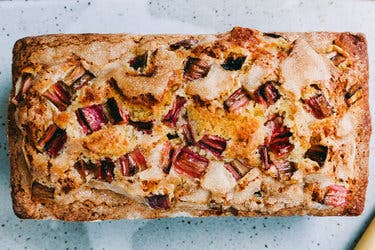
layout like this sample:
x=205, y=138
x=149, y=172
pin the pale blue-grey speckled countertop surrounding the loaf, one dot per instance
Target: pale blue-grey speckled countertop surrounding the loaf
x=24, y=18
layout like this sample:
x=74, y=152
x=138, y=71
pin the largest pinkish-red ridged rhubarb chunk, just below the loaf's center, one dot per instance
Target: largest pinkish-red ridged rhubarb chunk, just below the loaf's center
x=189, y=163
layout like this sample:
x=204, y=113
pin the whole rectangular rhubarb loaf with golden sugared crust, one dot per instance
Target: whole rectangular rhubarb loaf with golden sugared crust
x=241, y=123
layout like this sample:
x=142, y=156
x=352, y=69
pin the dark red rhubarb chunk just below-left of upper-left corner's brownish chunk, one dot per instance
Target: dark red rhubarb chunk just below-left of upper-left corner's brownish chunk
x=58, y=95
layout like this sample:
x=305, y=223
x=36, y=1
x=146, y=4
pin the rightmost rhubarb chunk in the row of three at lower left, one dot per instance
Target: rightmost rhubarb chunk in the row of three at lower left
x=132, y=162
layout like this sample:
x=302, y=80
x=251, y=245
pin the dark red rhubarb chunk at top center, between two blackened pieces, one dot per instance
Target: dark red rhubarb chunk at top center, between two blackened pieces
x=196, y=68
